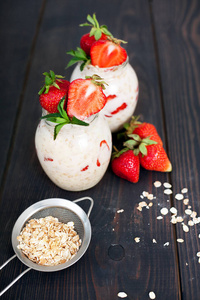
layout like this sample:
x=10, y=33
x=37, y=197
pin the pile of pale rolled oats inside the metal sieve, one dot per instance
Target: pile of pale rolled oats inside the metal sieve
x=48, y=242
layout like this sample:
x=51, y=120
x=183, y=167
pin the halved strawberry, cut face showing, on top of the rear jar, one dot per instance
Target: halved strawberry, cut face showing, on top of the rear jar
x=107, y=53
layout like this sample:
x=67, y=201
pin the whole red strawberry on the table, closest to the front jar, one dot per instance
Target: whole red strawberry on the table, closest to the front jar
x=126, y=165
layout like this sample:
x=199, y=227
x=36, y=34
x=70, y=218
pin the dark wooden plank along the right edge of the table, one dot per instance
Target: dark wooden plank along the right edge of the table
x=177, y=35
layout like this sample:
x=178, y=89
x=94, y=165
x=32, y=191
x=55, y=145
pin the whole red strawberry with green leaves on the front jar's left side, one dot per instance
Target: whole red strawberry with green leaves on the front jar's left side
x=53, y=91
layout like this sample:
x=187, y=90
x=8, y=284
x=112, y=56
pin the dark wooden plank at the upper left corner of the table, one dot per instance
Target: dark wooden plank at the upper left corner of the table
x=18, y=27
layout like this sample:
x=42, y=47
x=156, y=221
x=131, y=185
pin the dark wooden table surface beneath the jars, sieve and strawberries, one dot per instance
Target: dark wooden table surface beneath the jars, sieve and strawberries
x=164, y=49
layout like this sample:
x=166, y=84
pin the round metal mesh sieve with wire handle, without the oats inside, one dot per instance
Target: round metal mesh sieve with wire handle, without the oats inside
x=65, y=211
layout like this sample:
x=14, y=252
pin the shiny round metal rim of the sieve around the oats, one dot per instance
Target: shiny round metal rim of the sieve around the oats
x=46, y=203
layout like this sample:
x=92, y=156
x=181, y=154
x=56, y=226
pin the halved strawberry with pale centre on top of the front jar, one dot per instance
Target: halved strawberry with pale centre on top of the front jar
x=85, y=97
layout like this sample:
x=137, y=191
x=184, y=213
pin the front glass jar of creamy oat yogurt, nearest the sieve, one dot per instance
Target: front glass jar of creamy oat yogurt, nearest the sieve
x=79, y=156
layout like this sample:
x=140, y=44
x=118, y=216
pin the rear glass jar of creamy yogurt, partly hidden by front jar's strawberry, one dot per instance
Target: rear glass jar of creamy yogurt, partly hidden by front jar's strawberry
x=121, y=91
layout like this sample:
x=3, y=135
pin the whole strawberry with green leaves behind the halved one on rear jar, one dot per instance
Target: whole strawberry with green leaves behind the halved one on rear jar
x=96, y=33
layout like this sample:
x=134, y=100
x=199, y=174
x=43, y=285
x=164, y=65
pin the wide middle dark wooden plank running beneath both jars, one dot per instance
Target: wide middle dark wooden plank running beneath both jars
x=114, y=262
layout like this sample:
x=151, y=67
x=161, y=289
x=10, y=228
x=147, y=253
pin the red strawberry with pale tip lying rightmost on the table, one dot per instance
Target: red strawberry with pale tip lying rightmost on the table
x=156, y=159
